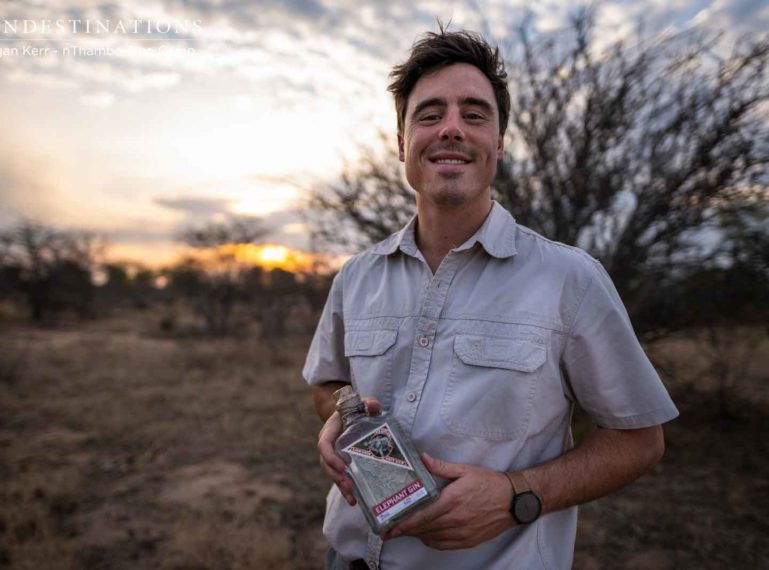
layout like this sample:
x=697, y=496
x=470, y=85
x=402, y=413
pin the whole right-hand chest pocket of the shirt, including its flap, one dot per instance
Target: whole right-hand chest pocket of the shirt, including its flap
x=492, y=384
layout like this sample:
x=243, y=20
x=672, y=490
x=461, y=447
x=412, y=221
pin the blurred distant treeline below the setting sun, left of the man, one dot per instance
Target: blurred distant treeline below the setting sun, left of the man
x=49, y=274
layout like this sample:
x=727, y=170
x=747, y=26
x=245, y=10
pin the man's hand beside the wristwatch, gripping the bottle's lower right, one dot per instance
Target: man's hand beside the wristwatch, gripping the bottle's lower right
x=472, y=509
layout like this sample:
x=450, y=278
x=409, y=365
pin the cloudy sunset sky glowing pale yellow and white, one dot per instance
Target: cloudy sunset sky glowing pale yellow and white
x=137, y=119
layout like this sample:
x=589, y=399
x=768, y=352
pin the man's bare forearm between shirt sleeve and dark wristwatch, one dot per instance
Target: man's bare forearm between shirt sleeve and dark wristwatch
x=606, y=461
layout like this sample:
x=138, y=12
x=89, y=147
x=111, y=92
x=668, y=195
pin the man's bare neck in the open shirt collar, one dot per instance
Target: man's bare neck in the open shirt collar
x=441, y=229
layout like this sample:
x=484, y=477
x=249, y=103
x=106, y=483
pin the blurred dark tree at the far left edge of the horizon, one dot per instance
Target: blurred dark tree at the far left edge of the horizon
x=50, y=268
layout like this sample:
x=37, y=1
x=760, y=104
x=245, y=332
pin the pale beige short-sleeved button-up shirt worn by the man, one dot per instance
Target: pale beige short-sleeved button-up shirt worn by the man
x=482, y=363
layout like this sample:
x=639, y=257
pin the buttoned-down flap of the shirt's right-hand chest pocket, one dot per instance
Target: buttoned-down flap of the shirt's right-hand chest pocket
x=522, y=354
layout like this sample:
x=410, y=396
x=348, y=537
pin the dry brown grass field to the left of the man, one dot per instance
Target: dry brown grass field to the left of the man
x=122, y=449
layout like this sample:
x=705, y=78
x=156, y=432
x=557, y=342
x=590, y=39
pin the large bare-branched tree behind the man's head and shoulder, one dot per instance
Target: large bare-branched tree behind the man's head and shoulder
x=629, y=152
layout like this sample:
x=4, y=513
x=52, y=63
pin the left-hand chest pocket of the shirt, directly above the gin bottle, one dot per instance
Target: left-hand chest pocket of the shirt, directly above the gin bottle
x=370, y=354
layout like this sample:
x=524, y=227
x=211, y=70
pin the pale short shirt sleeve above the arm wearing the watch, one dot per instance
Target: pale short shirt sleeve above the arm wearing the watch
x=607, y=370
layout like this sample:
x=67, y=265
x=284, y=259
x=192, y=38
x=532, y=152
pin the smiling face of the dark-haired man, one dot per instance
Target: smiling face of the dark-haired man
x=451, y=142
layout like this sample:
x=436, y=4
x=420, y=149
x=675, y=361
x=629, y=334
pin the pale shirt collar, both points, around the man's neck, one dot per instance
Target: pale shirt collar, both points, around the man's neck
x=496, y=235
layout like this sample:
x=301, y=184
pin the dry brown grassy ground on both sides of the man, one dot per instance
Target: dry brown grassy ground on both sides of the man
x=123, y=448
